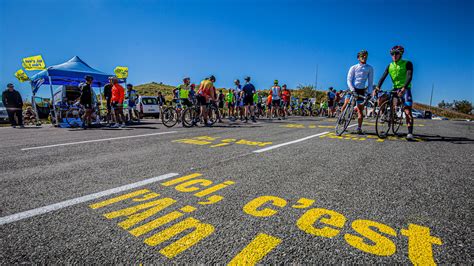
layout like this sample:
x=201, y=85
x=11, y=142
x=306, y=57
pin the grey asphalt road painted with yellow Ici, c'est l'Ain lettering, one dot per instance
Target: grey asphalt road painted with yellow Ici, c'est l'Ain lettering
x=271, y=192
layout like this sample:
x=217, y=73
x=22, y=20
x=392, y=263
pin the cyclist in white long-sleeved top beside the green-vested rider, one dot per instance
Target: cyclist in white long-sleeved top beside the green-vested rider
x=357, y=77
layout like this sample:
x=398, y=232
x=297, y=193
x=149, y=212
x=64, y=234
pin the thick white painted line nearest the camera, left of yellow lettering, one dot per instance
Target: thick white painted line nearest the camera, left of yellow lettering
x=63, y=204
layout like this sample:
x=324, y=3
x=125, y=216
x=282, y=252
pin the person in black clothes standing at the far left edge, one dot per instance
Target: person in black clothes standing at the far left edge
x=11, y=99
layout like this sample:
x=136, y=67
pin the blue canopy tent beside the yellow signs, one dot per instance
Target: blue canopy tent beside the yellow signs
x=71, y=73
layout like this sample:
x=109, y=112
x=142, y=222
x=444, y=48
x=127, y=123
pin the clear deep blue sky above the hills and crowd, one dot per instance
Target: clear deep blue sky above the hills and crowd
x=164, y=41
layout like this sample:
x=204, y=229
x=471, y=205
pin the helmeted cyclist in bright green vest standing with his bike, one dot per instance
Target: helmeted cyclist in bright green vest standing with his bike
x=401, y=72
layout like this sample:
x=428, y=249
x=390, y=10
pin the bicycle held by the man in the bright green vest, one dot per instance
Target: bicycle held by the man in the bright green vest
x=390, y=115
